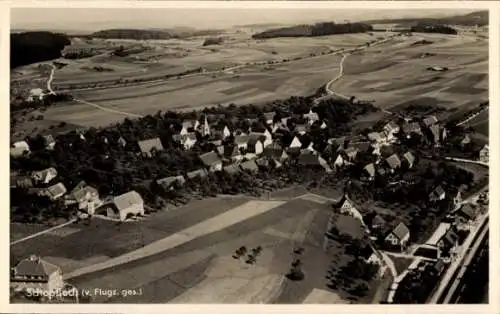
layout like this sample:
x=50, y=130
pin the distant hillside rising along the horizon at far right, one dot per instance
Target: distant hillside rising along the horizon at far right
x=480, y=18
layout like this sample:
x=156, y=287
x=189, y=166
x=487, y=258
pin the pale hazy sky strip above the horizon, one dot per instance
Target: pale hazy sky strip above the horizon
x=92, y=19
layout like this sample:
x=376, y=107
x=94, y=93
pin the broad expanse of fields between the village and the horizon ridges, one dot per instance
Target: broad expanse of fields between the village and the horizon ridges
x=390, y=74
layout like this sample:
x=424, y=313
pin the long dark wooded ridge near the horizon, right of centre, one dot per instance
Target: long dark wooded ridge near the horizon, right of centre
x=318, y=29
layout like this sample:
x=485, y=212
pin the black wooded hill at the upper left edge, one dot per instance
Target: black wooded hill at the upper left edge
x=47, y=45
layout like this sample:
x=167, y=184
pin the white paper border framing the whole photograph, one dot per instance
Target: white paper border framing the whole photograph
x=494, y=64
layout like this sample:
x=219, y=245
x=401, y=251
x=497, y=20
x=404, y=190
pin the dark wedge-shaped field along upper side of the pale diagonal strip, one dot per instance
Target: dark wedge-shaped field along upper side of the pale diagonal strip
x=79, y=245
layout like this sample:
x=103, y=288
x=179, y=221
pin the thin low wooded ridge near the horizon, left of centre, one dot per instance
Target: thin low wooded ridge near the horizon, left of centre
x=146, y=34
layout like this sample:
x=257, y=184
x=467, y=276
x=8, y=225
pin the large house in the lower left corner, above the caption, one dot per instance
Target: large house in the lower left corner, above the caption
x=35, y=273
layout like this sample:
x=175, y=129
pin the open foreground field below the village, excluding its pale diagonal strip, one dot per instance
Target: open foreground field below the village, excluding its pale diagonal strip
x=202, y=269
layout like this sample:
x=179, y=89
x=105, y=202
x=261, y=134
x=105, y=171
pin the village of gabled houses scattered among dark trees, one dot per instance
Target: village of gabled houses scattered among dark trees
x=274, y=141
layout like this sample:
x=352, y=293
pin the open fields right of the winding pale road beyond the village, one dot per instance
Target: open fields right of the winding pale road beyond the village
x=393, y=74
